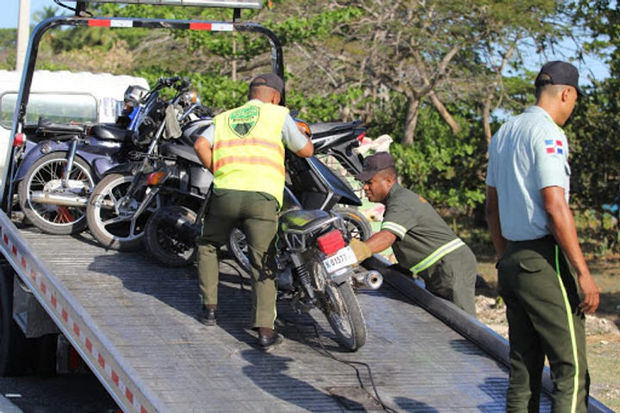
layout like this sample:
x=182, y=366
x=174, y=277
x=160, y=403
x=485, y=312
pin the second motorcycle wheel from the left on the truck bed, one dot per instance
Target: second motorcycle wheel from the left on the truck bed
x=108, y=227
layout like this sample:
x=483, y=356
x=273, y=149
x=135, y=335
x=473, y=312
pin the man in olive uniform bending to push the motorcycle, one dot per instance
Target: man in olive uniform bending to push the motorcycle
x=421, y=240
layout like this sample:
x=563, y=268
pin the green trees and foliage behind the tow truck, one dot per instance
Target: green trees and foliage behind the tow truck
x=363, y=59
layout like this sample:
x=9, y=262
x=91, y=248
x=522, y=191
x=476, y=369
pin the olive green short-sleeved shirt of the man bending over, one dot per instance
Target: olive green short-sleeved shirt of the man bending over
x=419, y=228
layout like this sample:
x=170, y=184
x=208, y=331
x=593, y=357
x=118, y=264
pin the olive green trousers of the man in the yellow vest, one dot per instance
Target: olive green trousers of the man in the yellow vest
x=256, y=213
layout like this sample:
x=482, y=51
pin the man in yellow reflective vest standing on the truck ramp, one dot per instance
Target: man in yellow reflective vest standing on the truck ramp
x=245, y=150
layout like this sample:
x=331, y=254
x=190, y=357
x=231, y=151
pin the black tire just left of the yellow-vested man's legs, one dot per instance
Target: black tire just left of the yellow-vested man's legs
x=163, y=236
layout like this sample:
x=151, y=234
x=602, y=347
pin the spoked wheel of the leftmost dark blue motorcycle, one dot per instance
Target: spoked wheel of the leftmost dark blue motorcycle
x=55, y=219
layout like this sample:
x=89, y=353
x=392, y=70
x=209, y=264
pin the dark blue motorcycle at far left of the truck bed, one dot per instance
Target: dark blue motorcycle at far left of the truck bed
x=60, y=165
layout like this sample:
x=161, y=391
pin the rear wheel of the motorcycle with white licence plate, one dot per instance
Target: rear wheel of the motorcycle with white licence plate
x=342, y=310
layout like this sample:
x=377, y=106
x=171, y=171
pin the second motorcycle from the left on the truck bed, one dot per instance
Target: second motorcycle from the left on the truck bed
x=121, y=203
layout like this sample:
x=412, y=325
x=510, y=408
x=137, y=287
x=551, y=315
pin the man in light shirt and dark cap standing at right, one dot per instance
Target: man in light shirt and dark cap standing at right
x=534, y=235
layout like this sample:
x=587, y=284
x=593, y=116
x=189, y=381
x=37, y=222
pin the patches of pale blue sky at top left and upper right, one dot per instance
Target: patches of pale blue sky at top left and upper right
x=593, y=66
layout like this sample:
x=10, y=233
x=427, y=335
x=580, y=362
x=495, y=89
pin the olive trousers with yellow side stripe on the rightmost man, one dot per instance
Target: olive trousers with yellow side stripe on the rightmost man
x=544, y=319
